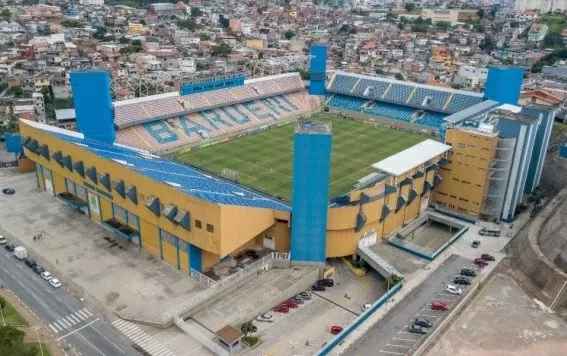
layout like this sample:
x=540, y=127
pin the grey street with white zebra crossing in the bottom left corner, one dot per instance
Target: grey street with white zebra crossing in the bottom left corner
x=66, y=317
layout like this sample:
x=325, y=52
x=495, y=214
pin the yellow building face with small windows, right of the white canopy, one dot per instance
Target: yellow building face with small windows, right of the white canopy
x=464, y=179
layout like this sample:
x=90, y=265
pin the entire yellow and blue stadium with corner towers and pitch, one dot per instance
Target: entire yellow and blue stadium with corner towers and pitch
x=195, y=177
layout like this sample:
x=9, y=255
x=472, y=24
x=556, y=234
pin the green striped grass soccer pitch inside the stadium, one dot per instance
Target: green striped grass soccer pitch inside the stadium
x=264, y=160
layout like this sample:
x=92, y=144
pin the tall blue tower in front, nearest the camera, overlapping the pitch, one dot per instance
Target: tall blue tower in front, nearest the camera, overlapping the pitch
x=311, y=170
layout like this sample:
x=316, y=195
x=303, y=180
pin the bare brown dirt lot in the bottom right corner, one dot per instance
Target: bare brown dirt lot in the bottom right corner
x=502, y=321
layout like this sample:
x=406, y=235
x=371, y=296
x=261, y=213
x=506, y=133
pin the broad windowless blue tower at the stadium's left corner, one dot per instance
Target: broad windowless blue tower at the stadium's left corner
x=93, y=105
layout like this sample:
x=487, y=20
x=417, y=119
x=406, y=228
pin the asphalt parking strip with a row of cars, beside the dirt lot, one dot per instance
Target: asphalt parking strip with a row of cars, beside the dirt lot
x=377, y=339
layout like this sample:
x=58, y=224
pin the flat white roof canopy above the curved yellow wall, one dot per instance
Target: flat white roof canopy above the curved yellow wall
x=412, y=157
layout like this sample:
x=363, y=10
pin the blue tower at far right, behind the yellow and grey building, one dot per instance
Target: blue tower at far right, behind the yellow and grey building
x=504, y=84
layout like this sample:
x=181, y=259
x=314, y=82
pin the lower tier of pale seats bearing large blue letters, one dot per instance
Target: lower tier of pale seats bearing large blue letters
x=167, y=134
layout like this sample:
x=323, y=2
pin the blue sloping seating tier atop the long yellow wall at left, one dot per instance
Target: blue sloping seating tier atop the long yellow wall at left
x=187, y=180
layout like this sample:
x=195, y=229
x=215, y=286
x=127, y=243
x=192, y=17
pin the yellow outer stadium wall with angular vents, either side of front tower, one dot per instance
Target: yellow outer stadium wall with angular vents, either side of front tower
x=216, y=230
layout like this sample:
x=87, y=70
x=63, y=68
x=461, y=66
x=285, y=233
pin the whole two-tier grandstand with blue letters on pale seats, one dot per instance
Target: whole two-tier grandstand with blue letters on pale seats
x=168, y=122
